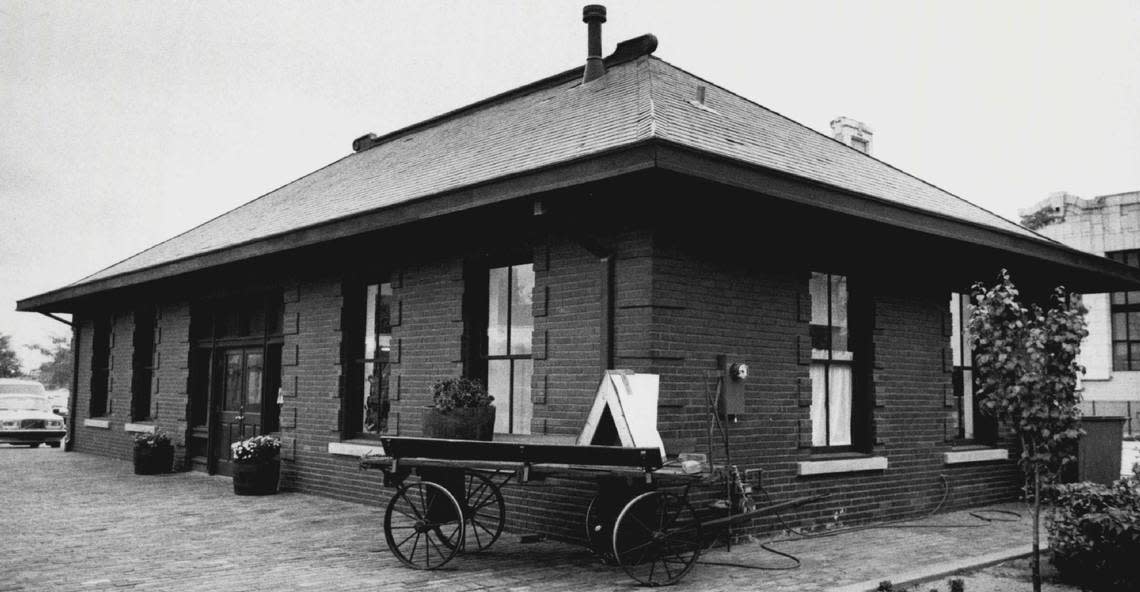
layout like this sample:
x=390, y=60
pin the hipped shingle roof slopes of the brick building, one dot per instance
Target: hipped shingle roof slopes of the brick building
x=549, y=124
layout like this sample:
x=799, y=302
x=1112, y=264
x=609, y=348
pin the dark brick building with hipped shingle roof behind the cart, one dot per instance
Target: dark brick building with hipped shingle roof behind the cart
x=636, y=217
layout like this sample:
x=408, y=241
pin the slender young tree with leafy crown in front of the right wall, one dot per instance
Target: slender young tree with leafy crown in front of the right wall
x=1025, y=359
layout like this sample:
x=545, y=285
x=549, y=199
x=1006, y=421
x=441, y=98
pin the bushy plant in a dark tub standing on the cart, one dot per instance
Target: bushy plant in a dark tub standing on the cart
x=461, y=410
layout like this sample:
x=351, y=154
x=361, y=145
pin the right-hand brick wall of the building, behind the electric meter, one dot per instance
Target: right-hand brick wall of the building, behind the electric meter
x=705, y=307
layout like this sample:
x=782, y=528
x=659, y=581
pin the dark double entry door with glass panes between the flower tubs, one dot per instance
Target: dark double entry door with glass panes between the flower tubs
x=245, y=399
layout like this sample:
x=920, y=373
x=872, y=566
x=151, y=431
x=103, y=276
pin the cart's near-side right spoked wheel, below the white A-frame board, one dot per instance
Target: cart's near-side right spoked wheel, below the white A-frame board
x=657, y=539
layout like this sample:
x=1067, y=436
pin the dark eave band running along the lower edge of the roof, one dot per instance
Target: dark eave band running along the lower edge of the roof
x=642, y=156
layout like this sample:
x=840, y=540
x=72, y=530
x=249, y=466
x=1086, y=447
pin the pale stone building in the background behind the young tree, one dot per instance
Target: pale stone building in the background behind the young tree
x=1109, y=226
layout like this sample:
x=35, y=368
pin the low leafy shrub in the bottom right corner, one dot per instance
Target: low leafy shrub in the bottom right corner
x=1095, y=534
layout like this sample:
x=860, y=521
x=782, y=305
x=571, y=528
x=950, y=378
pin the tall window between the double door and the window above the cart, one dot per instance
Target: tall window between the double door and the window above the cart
x=369, y=336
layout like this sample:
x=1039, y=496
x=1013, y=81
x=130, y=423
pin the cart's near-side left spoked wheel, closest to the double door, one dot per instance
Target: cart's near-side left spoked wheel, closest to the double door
x=424, y=525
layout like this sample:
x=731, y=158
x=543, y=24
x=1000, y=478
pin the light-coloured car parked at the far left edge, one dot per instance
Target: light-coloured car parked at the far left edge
x=27, y=417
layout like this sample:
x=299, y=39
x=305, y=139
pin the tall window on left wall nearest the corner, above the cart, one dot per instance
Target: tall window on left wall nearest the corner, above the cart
x=510, y=325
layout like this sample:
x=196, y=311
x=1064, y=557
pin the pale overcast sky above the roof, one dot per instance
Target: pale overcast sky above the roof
x=127, y=123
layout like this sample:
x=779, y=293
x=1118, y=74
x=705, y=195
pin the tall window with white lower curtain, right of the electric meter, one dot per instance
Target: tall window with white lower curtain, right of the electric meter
x=833, y=358
